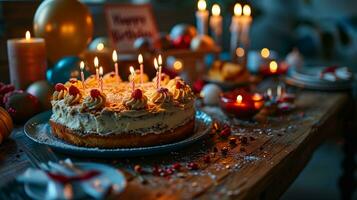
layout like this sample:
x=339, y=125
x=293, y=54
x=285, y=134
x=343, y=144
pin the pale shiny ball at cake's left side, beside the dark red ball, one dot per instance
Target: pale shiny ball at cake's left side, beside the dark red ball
x=43, y=90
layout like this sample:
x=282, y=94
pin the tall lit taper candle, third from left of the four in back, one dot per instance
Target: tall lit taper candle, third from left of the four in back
x=235, y=26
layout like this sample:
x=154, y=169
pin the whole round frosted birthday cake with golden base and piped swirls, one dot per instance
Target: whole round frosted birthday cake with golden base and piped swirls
x=118, y=114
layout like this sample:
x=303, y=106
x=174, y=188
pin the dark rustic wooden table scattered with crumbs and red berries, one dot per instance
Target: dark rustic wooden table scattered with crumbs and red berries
x=268, y=157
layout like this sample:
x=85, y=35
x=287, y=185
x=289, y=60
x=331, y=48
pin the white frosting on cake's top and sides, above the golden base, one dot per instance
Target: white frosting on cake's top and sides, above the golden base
x=117, y=117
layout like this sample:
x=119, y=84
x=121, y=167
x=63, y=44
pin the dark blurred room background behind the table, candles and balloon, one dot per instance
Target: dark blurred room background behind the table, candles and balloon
x=325, y=32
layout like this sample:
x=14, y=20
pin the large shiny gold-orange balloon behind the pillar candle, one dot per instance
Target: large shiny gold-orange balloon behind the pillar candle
x=66, y=26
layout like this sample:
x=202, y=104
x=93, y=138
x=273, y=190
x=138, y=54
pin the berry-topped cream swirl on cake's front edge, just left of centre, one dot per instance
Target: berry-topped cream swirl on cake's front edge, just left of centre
x=95, y=101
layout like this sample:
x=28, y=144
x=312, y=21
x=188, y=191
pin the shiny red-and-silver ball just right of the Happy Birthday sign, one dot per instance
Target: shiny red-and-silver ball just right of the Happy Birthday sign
x=181, y=35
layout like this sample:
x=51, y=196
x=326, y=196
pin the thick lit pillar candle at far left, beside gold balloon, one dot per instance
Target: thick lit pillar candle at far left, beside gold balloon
x=27, y=60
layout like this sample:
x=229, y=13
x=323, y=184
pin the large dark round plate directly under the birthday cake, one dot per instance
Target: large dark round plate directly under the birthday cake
x=38, y=130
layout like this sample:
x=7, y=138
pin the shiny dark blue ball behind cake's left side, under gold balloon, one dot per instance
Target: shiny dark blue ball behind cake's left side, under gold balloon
x=64, y=69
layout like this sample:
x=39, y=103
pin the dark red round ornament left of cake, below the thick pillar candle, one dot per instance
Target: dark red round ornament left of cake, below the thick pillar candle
x=21, y=105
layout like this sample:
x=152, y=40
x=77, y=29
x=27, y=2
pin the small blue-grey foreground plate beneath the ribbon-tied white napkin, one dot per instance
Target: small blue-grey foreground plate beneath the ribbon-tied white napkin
x=113, y=175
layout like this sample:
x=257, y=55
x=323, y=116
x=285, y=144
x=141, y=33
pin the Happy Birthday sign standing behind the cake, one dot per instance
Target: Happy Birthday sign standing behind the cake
x=129, y=22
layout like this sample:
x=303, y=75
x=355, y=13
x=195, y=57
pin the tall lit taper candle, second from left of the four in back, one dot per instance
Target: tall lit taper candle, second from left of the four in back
x=216, y=23
